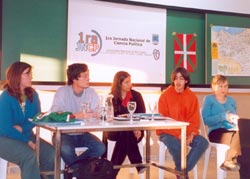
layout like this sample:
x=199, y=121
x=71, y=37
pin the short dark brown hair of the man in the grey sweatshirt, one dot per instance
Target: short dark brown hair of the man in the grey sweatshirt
x=74, y=70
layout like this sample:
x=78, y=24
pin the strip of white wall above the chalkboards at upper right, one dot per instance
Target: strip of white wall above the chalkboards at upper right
x=239, y=6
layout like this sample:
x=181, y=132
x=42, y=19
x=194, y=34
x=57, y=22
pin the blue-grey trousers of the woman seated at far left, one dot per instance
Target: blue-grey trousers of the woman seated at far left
x=20, y=153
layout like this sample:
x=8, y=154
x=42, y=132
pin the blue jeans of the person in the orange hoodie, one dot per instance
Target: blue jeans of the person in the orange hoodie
x=198, y=147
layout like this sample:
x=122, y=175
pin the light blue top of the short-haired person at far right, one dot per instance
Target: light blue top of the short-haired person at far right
x=215, y=114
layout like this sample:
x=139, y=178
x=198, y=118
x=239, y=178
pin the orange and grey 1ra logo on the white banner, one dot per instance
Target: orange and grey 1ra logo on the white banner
x=92, y=43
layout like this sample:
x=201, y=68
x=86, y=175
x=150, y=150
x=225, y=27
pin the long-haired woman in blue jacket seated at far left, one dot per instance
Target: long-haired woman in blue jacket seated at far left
x=19, y=102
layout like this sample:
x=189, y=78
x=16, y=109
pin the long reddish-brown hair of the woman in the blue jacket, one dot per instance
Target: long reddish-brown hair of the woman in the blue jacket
x=13, y=80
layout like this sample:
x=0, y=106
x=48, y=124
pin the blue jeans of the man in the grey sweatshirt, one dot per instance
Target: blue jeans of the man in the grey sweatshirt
x=69, y=142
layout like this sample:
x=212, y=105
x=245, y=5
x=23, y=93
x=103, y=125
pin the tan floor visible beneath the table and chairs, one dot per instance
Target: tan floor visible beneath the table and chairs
x=125, y=172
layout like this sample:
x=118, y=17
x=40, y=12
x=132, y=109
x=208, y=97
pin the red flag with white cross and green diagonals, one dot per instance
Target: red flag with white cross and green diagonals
x=185, y=51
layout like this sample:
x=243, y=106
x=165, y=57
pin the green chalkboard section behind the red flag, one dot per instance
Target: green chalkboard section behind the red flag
x=186, y=23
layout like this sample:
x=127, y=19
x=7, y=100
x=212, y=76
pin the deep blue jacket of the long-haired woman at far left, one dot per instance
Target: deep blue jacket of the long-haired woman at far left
x=11, y=114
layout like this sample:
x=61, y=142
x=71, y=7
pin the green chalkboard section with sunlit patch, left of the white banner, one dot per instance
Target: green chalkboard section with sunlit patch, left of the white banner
x=35, y=30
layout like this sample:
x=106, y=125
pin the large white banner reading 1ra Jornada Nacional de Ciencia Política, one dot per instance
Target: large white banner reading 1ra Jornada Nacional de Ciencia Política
x=110, y=37
